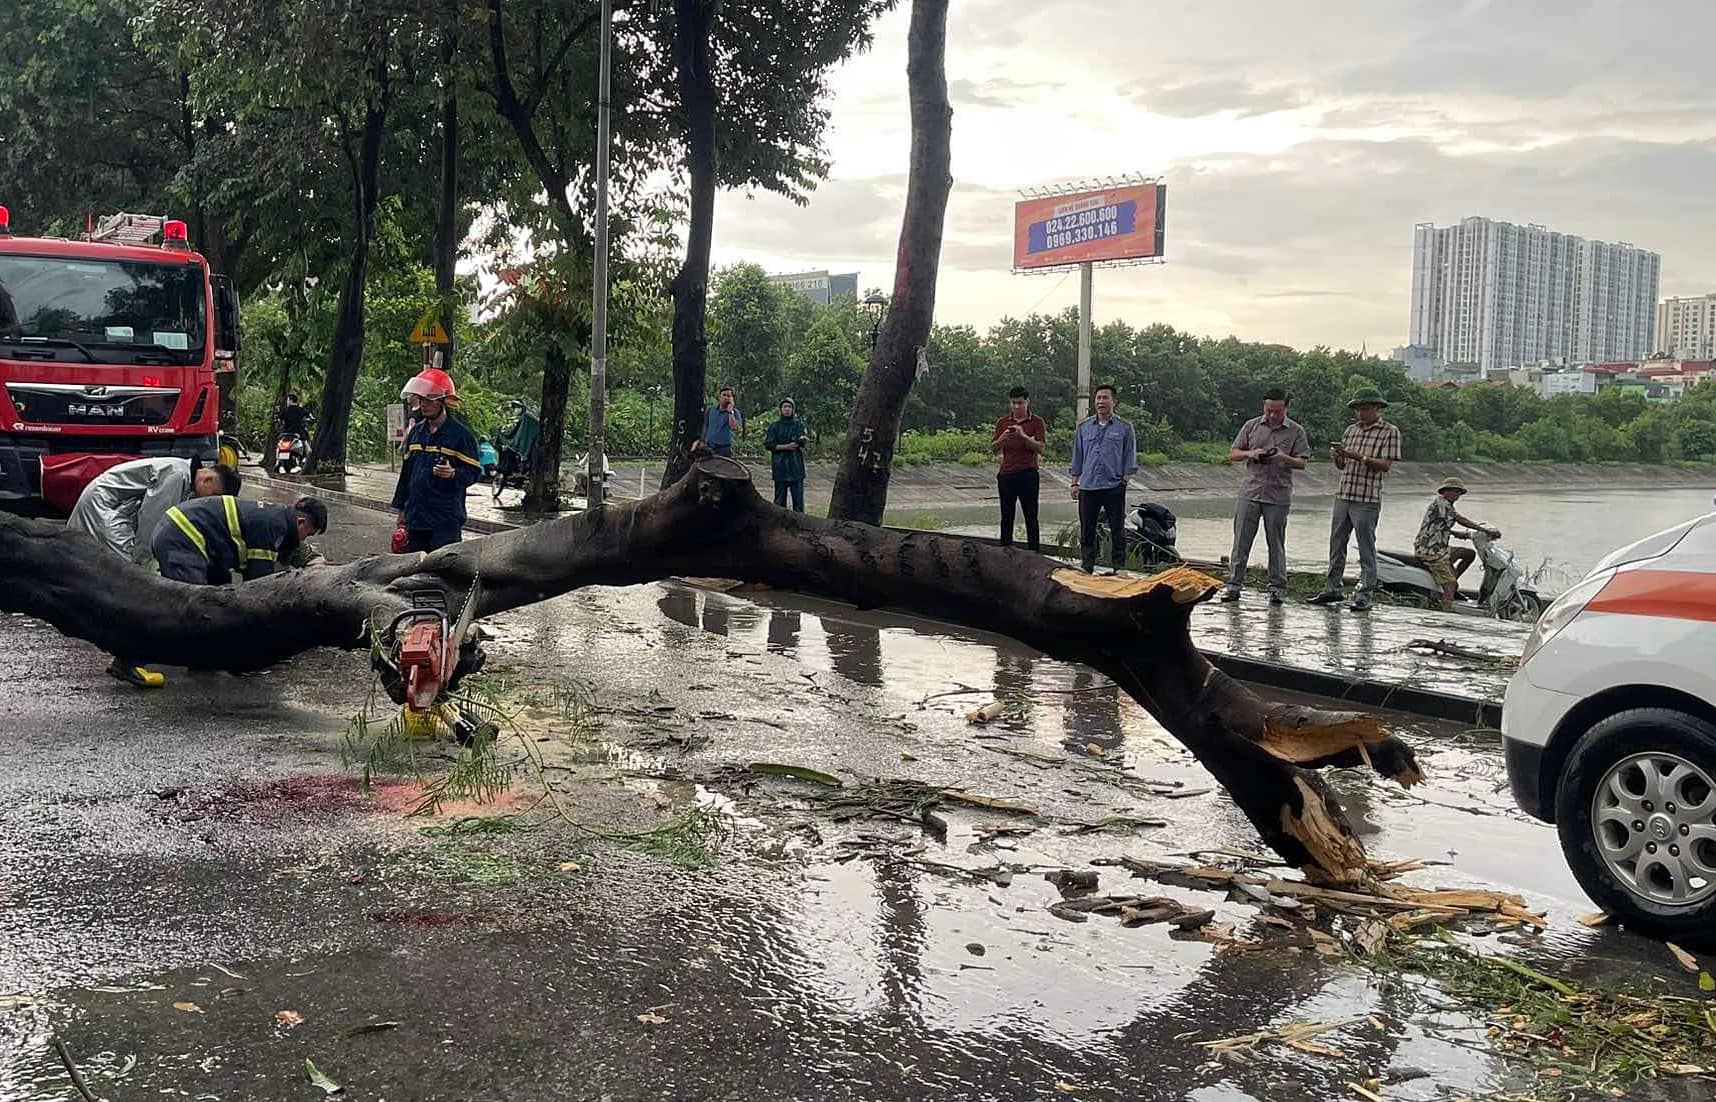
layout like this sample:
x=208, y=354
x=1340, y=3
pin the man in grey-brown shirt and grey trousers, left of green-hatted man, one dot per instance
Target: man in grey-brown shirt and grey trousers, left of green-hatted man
x=1272, y=447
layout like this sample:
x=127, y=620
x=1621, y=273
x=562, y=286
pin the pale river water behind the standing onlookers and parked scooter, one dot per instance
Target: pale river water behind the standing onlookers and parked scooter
x=1559, y=535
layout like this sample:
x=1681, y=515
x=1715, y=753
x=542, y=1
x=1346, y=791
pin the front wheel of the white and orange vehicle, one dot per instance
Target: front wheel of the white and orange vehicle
x=1636, y=809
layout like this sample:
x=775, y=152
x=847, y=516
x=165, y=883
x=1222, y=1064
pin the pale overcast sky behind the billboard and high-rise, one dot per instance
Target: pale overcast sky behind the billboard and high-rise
x=1302, y=142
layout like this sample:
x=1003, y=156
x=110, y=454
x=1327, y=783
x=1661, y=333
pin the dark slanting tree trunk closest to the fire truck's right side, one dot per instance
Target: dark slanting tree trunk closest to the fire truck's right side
x=347, y=356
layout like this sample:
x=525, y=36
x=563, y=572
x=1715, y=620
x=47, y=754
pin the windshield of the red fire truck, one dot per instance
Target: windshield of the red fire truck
x=102, y=310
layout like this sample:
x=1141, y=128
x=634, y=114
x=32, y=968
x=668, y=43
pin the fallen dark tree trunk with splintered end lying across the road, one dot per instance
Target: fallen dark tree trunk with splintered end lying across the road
x=713, y=523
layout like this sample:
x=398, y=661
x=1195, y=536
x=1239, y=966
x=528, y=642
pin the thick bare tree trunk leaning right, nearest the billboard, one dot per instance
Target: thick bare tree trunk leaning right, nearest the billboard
x=861, y=488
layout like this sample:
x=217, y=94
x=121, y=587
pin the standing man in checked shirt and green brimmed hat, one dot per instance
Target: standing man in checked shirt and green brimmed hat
x=1365, y=454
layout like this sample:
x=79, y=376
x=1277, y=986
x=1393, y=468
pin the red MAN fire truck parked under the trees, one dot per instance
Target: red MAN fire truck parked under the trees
x=112, y=348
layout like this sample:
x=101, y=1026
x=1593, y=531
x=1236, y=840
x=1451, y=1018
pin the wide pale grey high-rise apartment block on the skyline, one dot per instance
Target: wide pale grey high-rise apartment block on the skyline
x=1497, y=294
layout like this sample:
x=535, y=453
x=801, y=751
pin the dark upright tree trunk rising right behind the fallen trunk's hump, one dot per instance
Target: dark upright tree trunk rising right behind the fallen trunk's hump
x=691, y=288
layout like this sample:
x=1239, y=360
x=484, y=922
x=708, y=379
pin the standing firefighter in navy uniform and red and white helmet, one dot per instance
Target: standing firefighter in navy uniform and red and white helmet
x=440, y=466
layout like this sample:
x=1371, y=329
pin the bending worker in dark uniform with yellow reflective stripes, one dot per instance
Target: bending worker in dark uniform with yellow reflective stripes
x=207, y=540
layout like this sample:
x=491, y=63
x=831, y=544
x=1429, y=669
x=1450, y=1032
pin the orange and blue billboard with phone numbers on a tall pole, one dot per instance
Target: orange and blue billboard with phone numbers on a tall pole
x=1109, y=224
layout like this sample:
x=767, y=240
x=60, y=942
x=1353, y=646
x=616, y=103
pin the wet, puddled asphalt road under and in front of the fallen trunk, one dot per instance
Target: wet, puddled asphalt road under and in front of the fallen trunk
x=179, y=869
